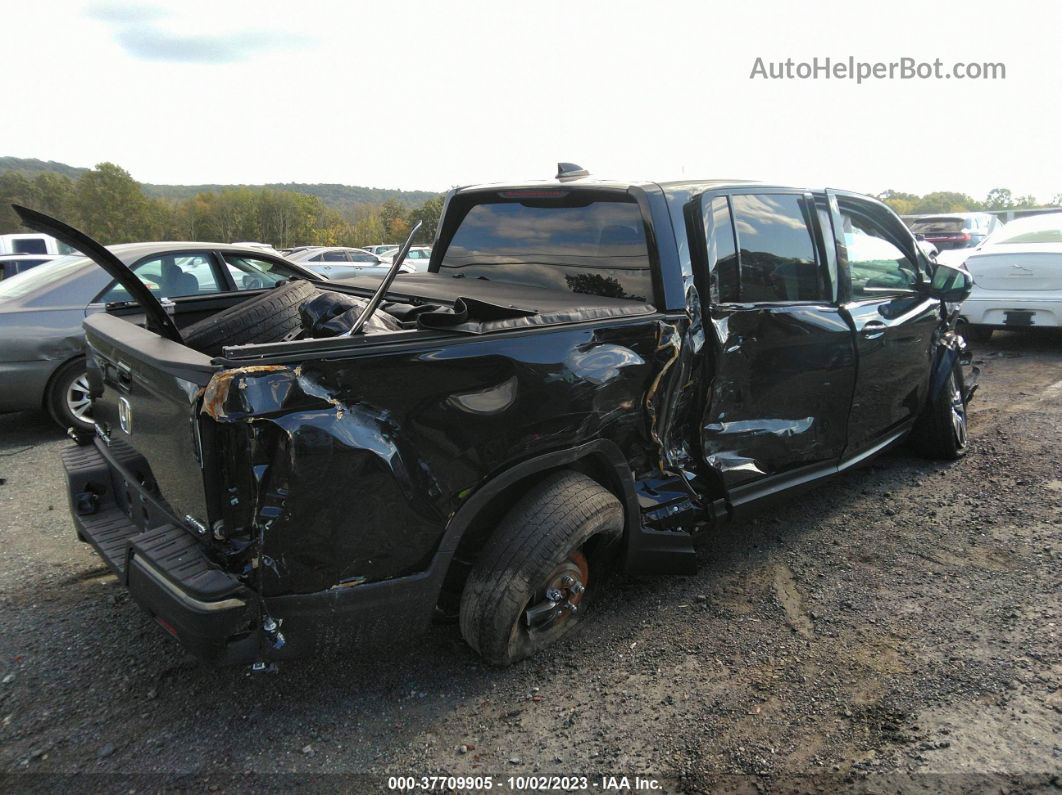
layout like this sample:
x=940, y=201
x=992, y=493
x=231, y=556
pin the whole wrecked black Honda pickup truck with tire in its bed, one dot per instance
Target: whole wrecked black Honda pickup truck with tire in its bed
x=590, y=375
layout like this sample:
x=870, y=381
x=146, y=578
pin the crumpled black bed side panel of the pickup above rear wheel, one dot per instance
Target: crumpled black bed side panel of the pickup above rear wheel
x=358, y=464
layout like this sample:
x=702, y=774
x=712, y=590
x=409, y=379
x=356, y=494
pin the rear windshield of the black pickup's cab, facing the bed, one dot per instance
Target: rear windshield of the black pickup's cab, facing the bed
x=569, y=243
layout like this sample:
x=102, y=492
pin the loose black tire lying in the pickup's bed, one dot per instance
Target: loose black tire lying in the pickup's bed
x=267, y=318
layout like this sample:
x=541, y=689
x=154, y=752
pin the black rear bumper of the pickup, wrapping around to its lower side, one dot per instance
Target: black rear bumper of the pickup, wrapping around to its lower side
x=212, y=613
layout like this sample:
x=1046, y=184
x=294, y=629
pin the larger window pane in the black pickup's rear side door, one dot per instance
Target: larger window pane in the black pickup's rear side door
x=777, y=253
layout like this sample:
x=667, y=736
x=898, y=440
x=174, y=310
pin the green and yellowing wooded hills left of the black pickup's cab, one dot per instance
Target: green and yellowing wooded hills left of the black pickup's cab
x=111, y=206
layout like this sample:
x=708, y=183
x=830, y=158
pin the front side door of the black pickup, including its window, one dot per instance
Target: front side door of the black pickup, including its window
x=894, y=319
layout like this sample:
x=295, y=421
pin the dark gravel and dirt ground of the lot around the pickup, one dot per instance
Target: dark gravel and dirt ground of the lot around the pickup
x=899, y=626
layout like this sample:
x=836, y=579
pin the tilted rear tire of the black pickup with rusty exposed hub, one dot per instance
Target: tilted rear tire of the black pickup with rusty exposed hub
x=564, y=525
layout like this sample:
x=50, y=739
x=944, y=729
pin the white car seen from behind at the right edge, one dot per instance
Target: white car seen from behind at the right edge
x=1018, y=279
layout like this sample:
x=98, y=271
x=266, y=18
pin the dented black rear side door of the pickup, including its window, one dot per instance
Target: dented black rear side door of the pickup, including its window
x=783, y=369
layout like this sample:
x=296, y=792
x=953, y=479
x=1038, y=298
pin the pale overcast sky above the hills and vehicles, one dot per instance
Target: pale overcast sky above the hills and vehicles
x=429, y=95
